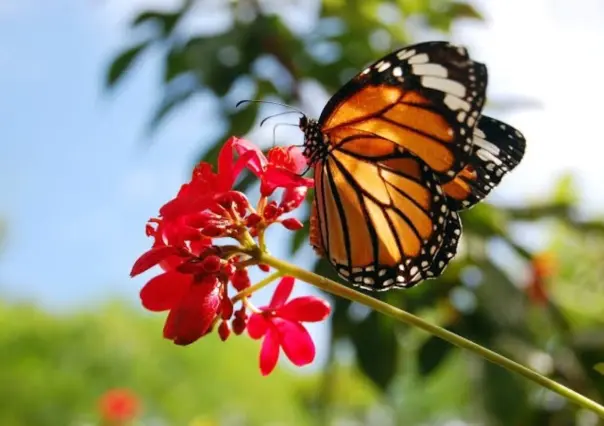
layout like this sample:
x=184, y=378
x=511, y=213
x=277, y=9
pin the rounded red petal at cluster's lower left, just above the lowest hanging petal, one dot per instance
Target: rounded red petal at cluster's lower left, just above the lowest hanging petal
x=165, y=291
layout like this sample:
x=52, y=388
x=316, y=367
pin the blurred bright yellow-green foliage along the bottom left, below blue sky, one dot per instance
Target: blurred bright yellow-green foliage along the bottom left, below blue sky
x=55, y=367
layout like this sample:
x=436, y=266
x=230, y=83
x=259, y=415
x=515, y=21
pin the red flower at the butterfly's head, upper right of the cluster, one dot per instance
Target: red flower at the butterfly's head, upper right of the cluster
x=281, y=169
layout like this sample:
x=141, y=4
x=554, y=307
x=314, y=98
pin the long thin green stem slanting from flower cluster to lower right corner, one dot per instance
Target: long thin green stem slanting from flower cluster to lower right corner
x=333, y=287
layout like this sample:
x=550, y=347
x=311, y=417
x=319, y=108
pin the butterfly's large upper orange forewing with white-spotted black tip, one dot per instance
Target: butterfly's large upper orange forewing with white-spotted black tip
x=425, y=98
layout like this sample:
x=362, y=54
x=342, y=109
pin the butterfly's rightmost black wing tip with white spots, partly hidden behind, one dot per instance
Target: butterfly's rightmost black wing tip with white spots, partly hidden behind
x=498, y=149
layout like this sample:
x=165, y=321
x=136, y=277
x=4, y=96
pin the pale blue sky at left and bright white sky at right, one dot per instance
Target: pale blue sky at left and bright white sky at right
x=78, y=181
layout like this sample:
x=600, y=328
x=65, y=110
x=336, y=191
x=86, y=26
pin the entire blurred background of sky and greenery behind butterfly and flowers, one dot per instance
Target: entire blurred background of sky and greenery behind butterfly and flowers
x=106, y=105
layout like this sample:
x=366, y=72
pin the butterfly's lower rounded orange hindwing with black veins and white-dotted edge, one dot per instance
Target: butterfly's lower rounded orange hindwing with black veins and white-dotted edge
x=380, y=222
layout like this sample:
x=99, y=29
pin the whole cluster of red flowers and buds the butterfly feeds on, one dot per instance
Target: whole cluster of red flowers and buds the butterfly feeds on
x=198, y=272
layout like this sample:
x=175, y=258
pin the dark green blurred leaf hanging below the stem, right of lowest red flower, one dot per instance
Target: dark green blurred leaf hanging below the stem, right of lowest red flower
x=377, y=350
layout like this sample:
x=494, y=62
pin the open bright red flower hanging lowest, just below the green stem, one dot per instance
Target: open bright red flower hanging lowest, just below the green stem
x=280, y=325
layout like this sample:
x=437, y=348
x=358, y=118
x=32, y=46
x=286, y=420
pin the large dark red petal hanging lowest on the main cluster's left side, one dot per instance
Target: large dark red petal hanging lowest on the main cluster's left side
x=193, y=316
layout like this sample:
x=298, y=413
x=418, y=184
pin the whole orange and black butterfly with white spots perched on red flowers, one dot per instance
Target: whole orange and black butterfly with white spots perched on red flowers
x=397, y=152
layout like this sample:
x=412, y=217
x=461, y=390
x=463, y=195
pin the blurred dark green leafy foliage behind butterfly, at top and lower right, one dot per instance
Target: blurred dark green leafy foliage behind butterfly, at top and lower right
x=261, y=53
